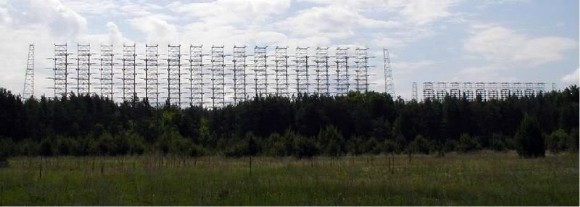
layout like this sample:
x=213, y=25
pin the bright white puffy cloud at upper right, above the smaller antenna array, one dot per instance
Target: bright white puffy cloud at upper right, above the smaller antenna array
x=507, y=46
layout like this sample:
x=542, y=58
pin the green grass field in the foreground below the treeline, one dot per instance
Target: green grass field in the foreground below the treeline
x=474, y=179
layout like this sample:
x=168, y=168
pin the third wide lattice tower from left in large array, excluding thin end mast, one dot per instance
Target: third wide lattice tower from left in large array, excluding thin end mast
x=107, y=71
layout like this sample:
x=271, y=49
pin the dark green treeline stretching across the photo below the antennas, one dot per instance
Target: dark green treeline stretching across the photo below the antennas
x=304, y=126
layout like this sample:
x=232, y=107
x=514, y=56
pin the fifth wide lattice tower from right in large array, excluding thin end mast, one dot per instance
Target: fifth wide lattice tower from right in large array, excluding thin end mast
x=281, y=71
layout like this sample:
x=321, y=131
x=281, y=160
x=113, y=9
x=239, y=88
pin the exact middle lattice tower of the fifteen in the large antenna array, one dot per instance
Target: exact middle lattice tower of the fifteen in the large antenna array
x=217, y=76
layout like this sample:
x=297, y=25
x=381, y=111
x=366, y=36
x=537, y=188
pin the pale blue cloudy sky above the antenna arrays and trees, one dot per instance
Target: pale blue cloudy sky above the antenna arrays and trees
x=428, y=40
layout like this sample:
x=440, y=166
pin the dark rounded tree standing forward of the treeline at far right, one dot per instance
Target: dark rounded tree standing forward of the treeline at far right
x=529, y=139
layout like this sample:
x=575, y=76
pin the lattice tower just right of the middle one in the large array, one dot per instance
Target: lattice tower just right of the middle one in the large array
x=239, y=74
